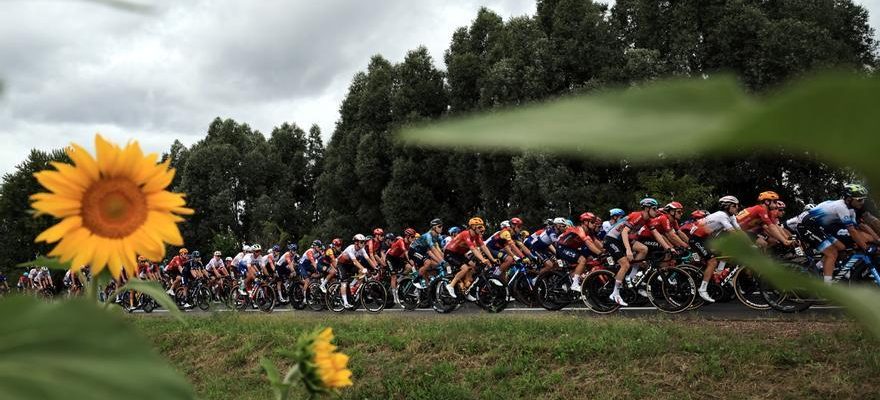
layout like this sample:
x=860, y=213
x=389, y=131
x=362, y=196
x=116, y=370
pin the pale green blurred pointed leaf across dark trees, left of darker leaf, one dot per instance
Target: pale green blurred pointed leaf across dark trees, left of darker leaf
x=673, y=117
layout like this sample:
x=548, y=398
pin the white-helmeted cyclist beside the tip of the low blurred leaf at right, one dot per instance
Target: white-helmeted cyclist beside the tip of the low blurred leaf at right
x=721, y=221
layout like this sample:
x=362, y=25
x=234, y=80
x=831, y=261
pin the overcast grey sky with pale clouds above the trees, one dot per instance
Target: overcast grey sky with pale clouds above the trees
x=73, y=68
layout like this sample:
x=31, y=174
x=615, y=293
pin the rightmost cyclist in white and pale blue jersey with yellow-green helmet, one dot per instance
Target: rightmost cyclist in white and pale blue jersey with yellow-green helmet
x=821, y=224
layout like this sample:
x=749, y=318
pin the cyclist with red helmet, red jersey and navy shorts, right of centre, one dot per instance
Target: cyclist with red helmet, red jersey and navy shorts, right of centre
x=579, y=243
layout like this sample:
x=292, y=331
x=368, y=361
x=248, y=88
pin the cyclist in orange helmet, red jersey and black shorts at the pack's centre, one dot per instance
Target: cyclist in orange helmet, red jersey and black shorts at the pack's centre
x=463, y=249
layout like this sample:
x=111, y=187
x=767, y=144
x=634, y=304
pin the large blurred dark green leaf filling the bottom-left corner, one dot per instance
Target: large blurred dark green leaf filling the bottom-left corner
x=73, y=350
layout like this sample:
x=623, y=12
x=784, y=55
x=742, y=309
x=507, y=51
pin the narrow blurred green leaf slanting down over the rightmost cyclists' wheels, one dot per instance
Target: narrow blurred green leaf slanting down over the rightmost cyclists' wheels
x=860, y=302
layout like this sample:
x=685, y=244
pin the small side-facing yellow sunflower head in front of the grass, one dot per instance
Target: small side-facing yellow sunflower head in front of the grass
x=324, y=369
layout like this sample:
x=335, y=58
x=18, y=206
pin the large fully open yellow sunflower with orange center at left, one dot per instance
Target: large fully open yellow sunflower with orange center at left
x=112, y=207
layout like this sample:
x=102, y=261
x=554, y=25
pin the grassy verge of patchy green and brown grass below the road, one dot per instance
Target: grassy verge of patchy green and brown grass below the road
x=534, y=356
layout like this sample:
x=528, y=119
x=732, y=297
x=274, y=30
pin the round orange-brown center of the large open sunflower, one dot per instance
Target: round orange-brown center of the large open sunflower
x=114, y=208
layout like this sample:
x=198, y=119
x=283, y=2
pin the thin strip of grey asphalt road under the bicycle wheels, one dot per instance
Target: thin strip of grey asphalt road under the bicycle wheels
x=722, y=311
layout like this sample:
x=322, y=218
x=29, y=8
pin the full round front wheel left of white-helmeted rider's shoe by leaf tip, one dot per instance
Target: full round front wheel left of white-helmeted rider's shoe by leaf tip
x=671, y=291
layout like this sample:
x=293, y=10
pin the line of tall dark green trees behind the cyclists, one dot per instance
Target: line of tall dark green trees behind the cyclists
x=289, y=187
